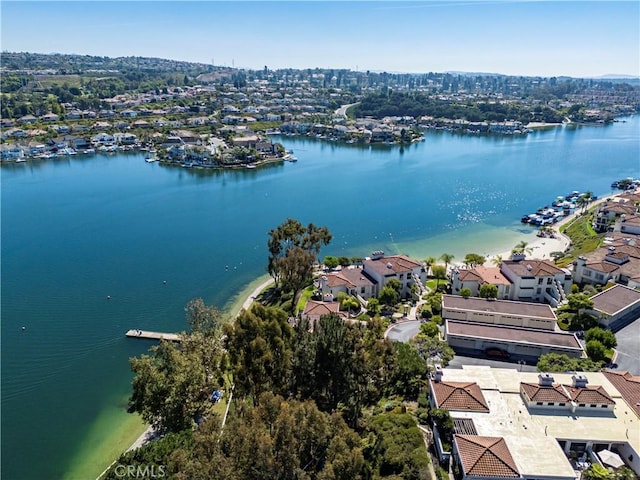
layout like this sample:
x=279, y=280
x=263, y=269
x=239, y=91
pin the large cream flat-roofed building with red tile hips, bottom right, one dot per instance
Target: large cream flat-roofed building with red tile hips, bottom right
x=535, y=425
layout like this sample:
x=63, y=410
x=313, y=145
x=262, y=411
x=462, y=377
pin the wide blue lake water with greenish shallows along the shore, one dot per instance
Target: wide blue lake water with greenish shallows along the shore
x=77, y=230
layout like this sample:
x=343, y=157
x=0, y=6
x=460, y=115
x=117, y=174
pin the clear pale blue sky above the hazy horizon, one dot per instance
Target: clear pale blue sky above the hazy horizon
x=578, y=38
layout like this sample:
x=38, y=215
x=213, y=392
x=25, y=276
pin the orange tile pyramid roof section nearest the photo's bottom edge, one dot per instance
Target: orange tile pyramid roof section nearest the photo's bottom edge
x=486, y=457
